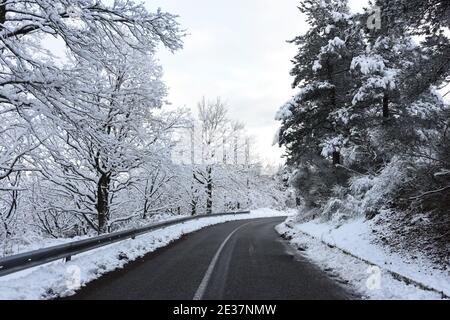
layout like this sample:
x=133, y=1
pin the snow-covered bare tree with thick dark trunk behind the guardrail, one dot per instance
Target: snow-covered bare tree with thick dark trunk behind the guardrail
x=119, y=135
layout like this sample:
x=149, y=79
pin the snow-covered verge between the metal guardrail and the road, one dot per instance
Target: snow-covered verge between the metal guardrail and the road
x=59, y=279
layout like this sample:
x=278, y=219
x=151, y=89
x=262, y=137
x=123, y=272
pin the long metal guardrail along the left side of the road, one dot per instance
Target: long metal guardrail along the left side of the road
x=32, y=259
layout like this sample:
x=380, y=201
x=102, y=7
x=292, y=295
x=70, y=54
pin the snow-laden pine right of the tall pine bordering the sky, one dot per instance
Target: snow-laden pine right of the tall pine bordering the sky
x=392, y=74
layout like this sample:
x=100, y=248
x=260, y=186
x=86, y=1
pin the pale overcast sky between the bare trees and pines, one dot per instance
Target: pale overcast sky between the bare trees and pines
x=236, y=49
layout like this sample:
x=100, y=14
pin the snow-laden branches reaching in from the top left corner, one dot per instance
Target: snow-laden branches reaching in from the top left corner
x=33, y=77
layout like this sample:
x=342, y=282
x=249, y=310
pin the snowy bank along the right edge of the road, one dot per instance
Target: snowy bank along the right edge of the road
x=349, y=253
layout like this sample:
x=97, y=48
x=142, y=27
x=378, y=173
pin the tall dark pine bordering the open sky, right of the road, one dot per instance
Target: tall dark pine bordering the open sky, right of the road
x=315, y=121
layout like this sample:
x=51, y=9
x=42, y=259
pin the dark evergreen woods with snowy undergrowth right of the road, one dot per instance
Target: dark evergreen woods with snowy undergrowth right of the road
x=368, y=133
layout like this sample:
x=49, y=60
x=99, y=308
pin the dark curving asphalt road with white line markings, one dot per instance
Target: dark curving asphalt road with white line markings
x=242, y=260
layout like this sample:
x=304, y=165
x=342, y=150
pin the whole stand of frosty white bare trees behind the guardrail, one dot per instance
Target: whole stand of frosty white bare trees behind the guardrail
x=89, y=143
